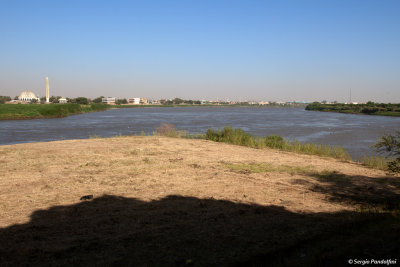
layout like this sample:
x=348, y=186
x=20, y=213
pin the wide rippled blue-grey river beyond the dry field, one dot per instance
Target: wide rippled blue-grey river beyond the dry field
x=354, y=132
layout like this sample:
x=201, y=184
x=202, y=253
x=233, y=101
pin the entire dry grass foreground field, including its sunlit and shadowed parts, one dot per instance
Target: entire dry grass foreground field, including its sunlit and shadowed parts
x=162, y=201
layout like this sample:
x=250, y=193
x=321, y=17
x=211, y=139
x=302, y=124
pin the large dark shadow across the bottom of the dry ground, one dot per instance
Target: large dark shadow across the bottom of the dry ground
x=187, y=231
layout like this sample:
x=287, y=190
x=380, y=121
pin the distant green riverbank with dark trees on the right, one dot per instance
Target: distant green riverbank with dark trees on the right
x=370, y=108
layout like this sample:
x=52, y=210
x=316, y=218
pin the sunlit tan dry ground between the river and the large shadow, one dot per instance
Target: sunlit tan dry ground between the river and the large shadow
x=40, y=175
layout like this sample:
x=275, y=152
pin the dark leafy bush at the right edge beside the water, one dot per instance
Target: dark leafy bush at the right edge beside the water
x=390, y=145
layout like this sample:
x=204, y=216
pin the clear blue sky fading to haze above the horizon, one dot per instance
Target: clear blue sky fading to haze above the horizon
x=199, y=49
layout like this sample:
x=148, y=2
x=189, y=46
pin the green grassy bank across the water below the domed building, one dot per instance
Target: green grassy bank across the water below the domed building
x=35, y=111
